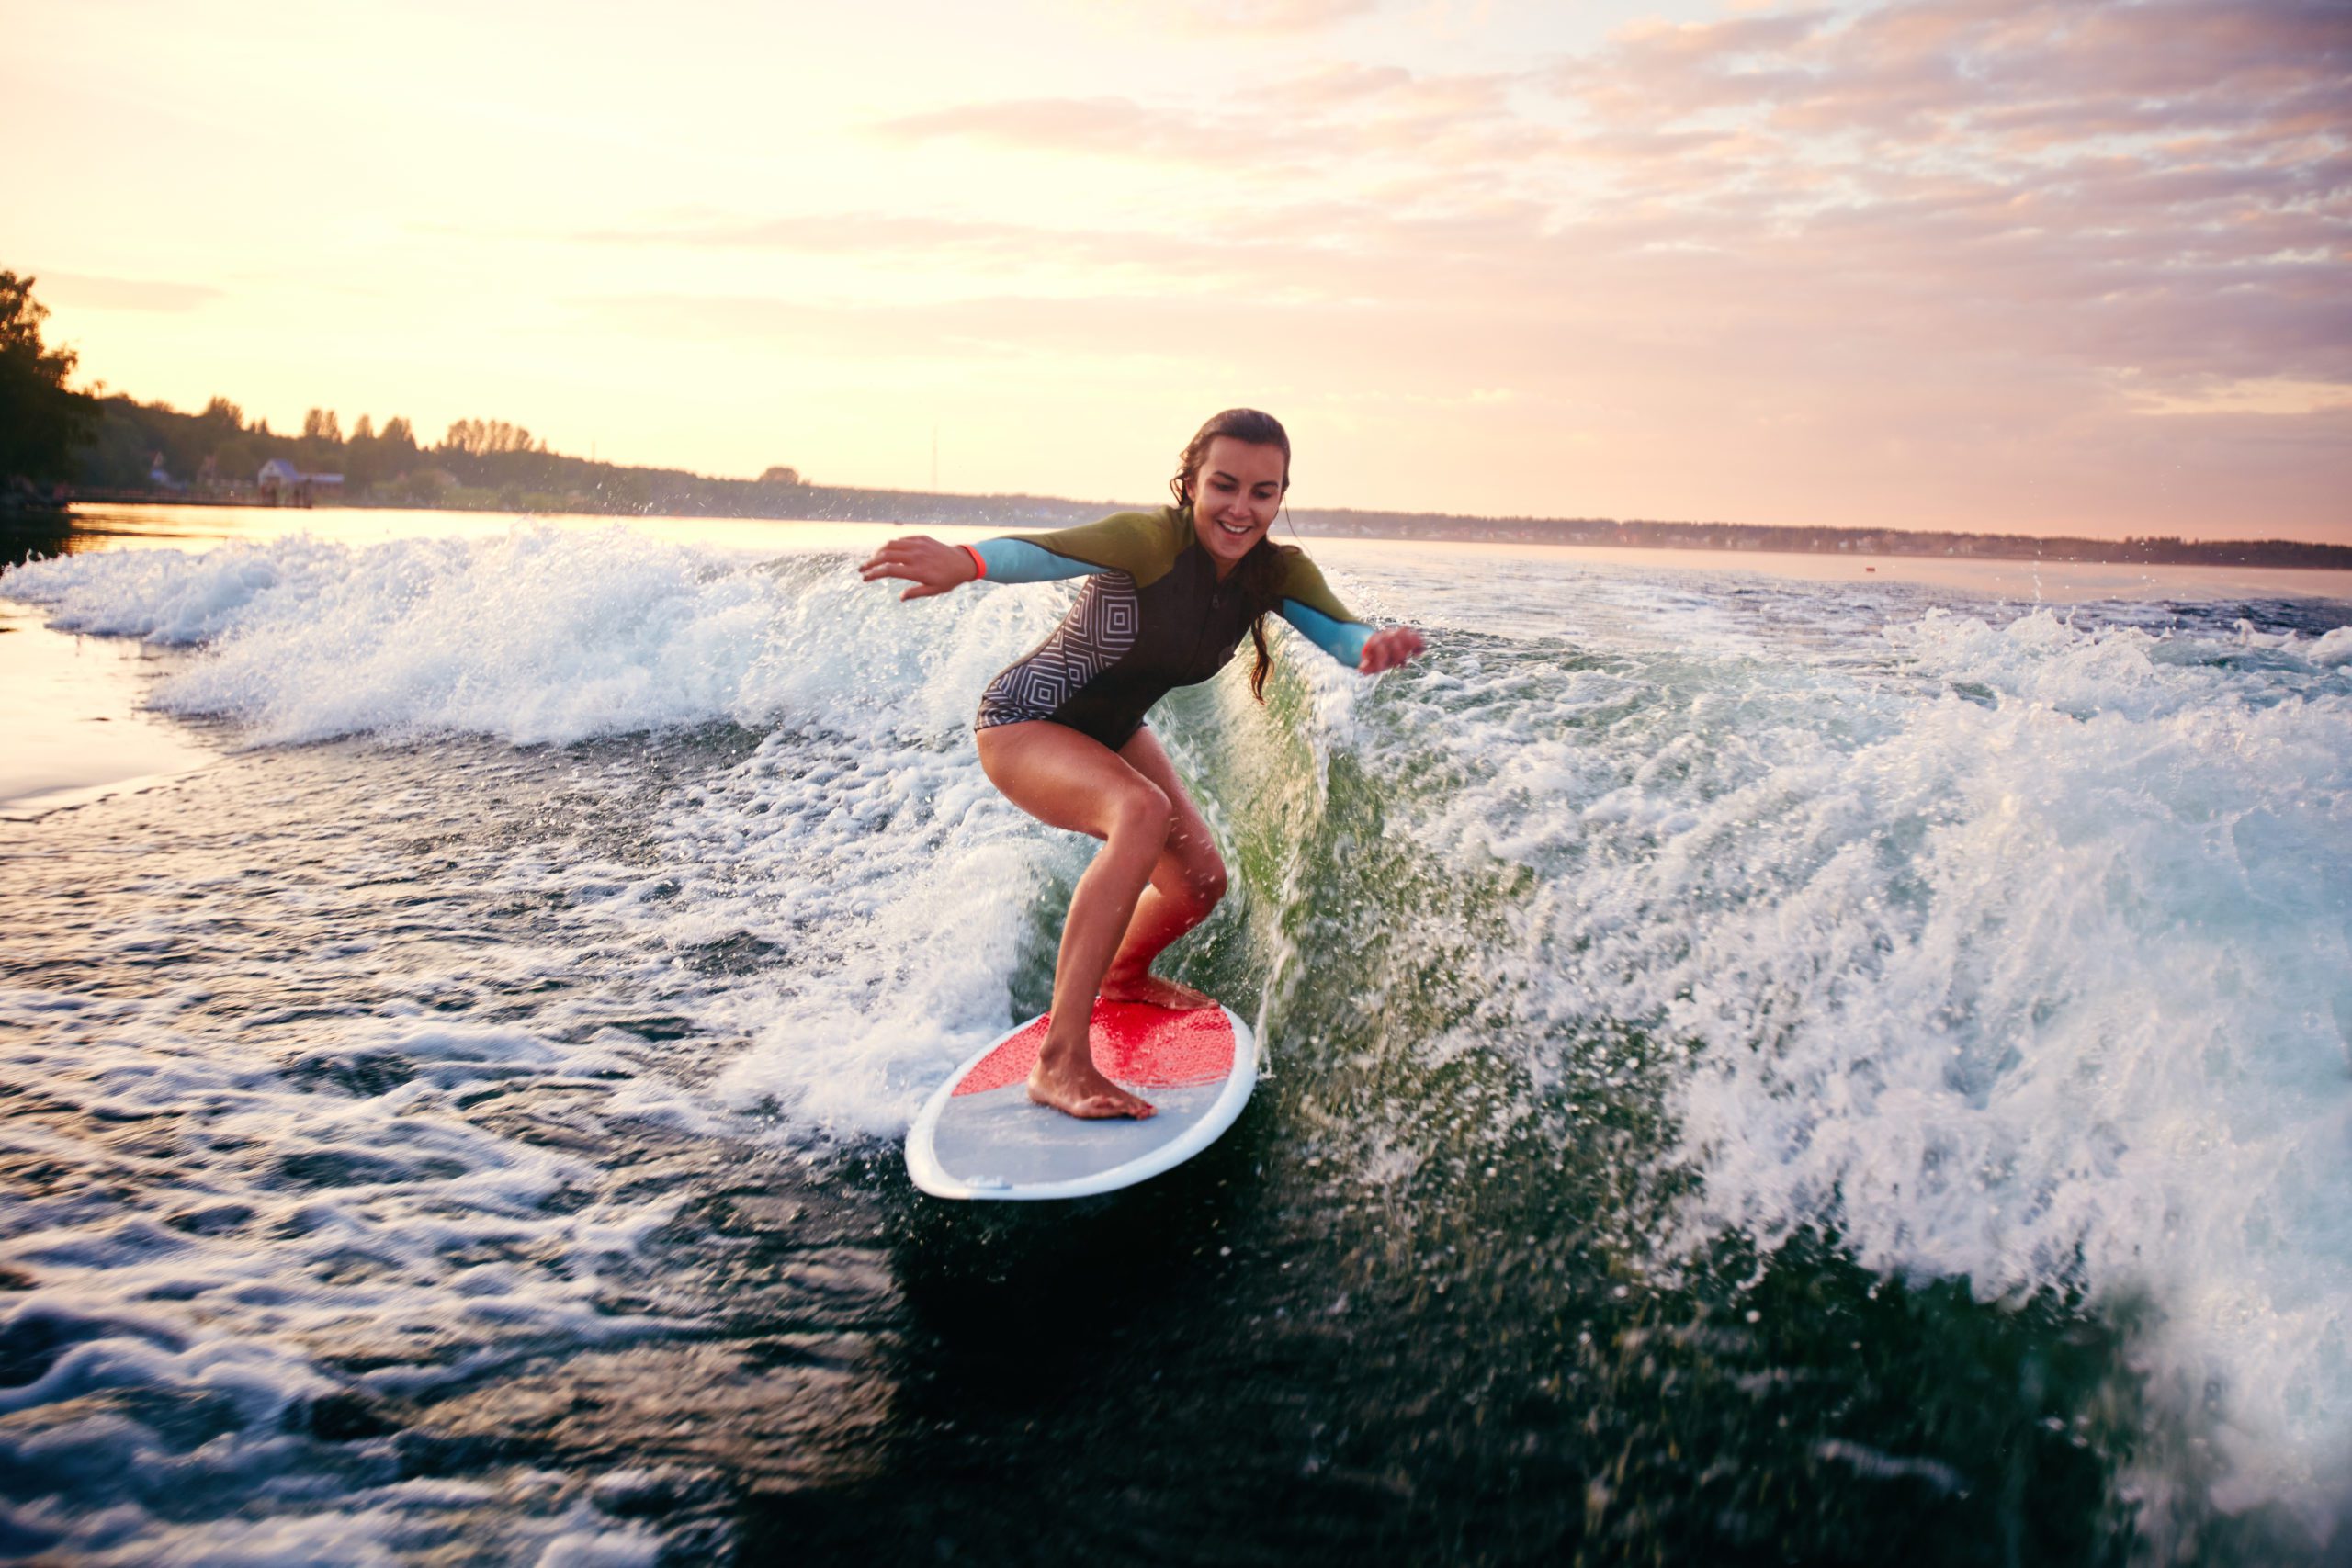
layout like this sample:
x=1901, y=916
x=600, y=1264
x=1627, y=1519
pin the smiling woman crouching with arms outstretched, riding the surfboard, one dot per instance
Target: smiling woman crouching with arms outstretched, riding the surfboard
x=1062, y=732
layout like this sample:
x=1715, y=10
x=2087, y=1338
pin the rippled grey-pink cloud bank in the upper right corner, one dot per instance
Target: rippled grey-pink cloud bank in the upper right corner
x=2160, y=189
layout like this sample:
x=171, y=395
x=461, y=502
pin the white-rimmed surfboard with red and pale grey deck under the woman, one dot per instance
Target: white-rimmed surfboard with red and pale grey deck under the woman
x=980, y=1137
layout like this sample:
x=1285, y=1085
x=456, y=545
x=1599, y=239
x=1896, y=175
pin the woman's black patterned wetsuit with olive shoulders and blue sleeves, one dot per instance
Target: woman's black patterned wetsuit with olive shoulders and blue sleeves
x=1151, y=617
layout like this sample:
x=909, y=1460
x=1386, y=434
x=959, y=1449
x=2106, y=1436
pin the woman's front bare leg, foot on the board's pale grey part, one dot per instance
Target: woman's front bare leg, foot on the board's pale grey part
x=1071, y=782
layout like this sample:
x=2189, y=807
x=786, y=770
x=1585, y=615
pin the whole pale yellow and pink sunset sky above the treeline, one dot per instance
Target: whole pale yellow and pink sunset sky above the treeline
x=1986, y=264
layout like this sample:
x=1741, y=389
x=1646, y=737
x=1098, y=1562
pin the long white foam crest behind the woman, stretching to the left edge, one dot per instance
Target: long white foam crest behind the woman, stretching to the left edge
x=535, y=636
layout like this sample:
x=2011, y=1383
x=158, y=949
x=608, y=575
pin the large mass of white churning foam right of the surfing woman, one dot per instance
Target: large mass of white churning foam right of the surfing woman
x=2019, y=958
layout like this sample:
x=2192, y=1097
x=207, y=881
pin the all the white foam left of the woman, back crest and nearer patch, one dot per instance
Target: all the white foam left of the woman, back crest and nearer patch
x=841, y=843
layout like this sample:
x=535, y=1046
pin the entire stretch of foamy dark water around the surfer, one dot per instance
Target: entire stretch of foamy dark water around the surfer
x=1768, y=1064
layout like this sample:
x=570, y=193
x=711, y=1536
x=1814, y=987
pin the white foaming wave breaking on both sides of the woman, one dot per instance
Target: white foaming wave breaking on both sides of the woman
x=2007, y=949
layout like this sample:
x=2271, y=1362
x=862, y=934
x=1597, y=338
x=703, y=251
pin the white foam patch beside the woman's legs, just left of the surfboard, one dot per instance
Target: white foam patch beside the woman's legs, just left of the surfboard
x=895, y=885
